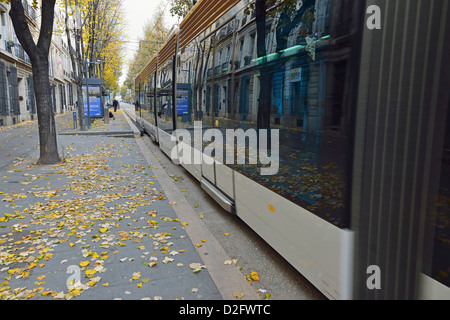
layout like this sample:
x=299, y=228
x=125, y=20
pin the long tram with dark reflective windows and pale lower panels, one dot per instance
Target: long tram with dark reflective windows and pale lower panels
x=358, y=95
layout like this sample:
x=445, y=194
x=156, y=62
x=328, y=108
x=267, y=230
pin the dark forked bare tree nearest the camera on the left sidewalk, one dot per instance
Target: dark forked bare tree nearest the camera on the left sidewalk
x=39, y=53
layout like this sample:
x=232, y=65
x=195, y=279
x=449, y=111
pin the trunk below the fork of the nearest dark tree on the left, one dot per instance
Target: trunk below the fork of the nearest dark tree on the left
x=46, y=119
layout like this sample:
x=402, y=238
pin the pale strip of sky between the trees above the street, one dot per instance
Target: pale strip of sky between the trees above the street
x=138, y=12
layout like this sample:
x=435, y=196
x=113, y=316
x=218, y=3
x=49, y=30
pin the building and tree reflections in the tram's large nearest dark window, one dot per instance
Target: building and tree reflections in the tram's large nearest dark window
x=299, y=86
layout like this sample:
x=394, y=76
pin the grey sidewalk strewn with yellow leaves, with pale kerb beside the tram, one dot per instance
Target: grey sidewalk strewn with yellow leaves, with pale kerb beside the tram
x=112, y=218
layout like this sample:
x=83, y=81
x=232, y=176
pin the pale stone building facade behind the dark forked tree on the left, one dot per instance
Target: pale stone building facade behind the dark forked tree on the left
x=17, y=98
